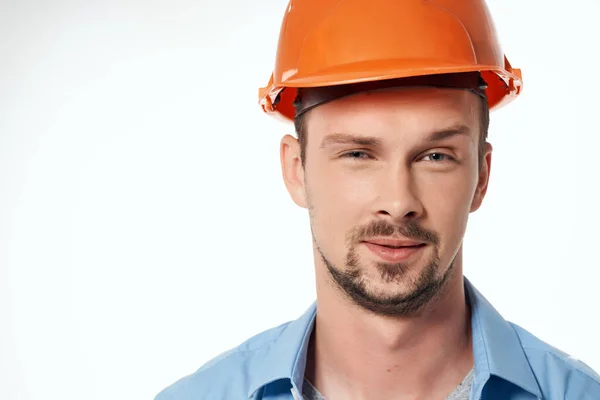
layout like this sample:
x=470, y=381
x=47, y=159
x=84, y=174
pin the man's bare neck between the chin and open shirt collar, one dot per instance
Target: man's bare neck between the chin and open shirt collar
x=357, y=355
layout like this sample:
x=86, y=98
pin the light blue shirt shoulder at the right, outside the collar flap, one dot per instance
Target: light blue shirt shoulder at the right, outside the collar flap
x=555, y=369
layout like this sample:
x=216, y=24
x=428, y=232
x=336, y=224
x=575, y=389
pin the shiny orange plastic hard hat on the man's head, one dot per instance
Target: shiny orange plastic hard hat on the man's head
x=337, y=42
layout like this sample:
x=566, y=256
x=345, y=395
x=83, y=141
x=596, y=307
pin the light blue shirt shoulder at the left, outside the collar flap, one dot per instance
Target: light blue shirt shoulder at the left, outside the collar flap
x=226, y=376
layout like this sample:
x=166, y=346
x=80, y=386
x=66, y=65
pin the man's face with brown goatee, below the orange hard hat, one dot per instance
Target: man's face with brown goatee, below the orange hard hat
x=389, y=180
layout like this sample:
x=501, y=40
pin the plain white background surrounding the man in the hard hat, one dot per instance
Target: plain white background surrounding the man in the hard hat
x=144, y=225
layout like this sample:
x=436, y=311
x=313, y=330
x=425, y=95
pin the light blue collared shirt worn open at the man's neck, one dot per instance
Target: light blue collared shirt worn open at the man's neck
x=510, y=364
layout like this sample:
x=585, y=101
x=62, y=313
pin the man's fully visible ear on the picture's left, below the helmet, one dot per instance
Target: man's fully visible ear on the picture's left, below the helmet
x=293, y=170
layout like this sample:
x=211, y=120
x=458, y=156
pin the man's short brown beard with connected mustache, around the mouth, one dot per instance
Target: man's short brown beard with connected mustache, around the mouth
x=422, y=289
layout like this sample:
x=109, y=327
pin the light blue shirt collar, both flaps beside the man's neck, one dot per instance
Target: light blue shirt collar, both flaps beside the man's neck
x=497, y=350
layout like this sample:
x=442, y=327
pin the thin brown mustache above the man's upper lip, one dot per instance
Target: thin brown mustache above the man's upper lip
x=411, y=230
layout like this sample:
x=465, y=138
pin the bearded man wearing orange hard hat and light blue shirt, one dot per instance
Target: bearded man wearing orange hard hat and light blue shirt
x=391, y=102
